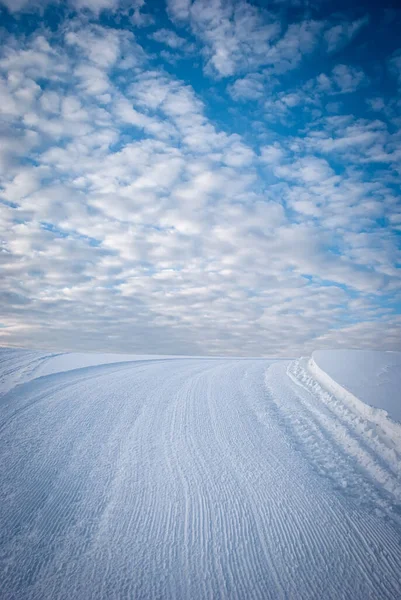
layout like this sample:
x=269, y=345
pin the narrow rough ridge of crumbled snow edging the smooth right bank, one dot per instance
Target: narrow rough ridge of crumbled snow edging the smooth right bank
x=376, y=416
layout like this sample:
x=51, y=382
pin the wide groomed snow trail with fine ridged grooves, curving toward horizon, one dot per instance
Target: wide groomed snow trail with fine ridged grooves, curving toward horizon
x=187, y=479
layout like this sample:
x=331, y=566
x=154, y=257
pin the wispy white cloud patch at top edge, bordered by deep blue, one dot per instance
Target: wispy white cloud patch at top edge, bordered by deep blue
x=238, y=36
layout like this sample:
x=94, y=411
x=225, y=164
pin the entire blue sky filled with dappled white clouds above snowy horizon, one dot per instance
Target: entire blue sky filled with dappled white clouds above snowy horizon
x=207, y=177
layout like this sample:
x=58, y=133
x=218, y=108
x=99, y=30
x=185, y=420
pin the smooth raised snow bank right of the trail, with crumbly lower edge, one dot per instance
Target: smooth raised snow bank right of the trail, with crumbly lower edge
x=368, y=379
